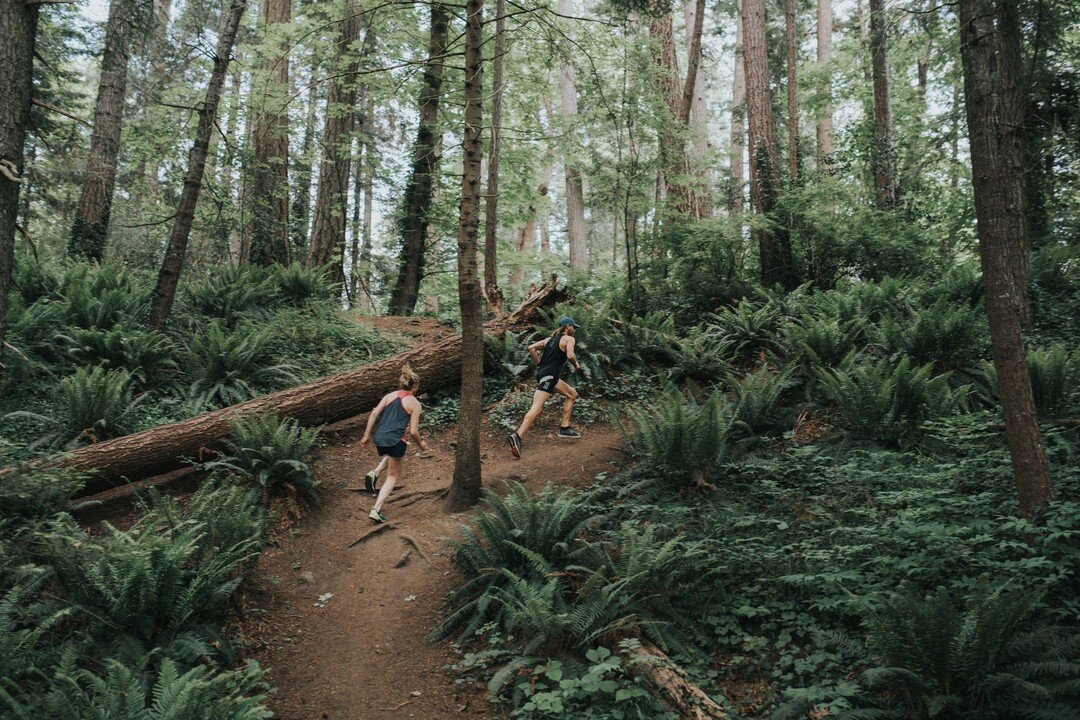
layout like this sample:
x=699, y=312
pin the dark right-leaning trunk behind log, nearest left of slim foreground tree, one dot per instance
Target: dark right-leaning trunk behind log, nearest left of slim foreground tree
x=420, y=188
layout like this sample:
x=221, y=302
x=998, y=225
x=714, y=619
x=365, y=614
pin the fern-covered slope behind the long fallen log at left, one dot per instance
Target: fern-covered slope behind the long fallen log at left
x=86, y=368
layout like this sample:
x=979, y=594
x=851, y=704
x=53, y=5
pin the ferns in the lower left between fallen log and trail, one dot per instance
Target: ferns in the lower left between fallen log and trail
x=128, y=623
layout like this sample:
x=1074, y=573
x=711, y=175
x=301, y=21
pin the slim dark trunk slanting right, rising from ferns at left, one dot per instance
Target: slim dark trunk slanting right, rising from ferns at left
x=170, y=274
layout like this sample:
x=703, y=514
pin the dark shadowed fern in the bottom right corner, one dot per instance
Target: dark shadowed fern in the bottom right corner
x=970, y=659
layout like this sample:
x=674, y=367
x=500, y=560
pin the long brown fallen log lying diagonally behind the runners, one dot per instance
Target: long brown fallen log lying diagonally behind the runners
x=330, y=400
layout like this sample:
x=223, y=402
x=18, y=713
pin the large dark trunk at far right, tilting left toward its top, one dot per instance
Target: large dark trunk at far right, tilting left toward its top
x=993, y=93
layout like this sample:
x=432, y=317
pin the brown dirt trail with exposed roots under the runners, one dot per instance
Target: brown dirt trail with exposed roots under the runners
x=364, y=656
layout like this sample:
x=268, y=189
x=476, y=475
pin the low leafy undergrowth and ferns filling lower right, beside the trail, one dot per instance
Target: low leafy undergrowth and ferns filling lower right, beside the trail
x=776, y=590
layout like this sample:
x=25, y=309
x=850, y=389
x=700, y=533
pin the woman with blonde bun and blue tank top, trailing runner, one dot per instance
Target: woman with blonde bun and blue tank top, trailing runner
x=398, y=415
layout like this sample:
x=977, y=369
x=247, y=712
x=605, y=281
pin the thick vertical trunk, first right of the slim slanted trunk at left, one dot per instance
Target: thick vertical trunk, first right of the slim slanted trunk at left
x=269, y=194
